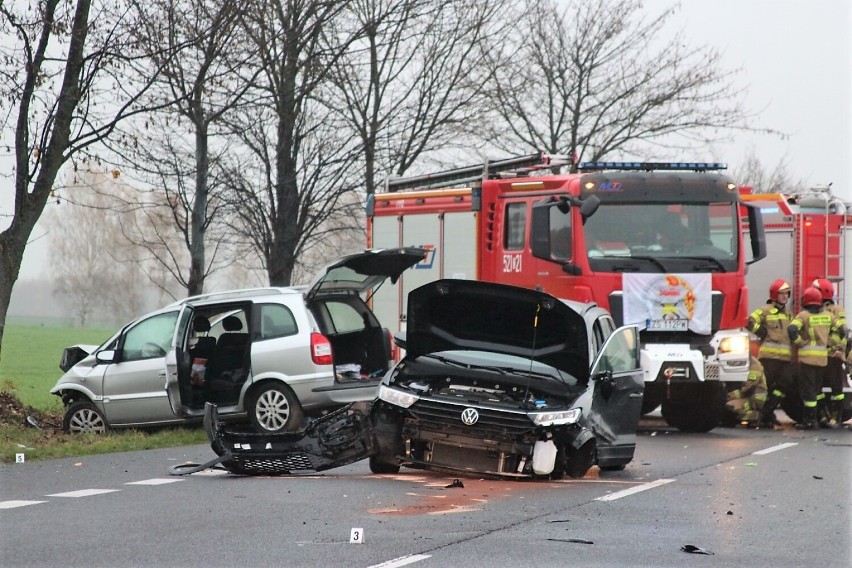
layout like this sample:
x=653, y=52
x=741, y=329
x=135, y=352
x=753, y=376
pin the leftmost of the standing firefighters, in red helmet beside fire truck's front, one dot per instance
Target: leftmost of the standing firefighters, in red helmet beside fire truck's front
x=769, y=323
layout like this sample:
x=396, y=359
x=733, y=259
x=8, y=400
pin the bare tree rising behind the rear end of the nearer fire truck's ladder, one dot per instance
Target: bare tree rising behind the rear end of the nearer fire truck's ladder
x=409, y=85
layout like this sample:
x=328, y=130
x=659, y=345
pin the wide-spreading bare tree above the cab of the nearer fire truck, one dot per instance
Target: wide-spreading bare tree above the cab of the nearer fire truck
x=594, y=78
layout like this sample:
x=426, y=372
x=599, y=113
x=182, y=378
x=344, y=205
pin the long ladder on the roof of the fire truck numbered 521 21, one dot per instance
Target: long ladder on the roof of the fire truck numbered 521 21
x=510, y=167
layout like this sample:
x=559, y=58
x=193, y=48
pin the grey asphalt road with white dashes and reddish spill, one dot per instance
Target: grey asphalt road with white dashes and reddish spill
x=751, y=498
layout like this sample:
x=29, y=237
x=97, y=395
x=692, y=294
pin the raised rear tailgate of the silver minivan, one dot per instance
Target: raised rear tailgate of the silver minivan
x=364, y=271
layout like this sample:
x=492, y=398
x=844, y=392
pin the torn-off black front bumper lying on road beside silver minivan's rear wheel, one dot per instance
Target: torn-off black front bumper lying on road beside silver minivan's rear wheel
x=337, y=439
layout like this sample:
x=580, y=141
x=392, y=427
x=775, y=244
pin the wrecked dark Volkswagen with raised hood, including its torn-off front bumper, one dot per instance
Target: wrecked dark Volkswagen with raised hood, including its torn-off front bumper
x=496, y=380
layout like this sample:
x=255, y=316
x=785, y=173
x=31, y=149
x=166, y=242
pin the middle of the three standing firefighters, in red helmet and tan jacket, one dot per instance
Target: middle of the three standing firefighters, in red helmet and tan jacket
x=815, y=332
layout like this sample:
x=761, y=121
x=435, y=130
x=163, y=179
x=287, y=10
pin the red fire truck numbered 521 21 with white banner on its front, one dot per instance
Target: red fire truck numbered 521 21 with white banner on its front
x=658, y=244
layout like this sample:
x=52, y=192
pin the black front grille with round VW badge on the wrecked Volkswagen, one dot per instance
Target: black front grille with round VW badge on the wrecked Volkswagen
x=490, y=421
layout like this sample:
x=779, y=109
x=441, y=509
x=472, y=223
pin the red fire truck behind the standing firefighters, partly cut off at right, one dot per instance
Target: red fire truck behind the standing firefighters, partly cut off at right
x=807, y=237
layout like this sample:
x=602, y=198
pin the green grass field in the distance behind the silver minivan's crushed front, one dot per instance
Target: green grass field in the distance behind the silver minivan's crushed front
x=29, y=362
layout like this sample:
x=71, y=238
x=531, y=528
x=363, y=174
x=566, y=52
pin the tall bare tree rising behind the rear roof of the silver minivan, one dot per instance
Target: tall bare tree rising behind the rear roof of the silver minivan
x=299, y=166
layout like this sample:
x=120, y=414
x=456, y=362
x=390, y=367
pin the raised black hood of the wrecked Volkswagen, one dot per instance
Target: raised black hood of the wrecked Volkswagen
x=465, y=314
